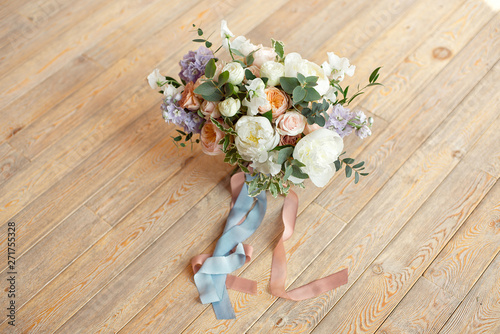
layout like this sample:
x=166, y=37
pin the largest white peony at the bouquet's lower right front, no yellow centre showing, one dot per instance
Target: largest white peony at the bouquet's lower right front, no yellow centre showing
x=318, y=151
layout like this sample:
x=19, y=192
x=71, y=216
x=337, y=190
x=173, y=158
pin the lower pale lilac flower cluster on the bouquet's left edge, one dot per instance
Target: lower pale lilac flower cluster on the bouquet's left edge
x=173, y=113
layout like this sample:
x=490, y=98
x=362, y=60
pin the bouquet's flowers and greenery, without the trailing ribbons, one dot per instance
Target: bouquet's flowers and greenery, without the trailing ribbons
x=277, y=116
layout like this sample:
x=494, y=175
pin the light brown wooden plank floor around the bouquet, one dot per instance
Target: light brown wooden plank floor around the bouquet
x=108, y=212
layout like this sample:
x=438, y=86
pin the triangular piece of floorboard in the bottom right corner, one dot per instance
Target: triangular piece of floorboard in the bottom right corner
x=480, y=311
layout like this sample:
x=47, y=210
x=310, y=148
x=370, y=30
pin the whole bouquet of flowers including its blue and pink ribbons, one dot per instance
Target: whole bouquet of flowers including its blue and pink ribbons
x=279, y=118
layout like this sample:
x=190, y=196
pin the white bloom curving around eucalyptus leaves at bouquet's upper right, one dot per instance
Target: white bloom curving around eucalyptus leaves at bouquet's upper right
x=295, y=64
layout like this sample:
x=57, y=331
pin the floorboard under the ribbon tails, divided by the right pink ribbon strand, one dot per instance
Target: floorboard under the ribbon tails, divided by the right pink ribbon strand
x=315, y=230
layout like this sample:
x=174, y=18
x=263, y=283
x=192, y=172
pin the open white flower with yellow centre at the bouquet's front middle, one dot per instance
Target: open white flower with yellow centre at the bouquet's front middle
x=255, y=137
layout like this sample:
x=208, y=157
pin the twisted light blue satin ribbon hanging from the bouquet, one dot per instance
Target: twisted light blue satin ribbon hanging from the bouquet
x=210, y=280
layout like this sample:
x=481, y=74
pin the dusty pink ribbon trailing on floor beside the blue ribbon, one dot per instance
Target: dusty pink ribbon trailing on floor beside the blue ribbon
x=278, y=269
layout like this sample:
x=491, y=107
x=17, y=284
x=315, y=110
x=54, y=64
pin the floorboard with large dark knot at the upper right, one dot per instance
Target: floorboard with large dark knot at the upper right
x=410, y=76
